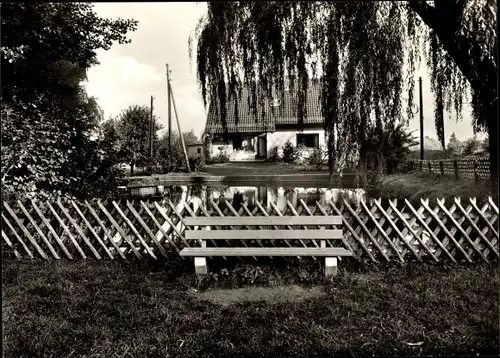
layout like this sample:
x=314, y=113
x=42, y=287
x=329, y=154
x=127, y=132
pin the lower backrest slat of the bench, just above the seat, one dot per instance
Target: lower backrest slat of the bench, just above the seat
x=262, y=234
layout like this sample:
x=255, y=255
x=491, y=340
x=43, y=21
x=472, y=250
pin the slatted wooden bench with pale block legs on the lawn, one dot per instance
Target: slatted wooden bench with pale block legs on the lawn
x=318, y=232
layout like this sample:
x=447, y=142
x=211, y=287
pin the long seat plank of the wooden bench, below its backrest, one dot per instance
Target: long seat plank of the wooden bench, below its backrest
x=265, y=251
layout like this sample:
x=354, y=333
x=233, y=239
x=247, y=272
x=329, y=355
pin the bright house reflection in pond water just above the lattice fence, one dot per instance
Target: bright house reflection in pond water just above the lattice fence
x=237, y=195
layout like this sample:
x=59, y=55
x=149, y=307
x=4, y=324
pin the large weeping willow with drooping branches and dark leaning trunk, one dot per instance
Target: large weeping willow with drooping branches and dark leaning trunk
x=363, y=53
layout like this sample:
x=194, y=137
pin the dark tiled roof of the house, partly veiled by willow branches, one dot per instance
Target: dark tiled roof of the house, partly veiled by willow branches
x=286, y=113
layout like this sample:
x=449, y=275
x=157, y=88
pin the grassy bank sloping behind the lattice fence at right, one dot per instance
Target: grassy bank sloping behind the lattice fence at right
x=419, y=185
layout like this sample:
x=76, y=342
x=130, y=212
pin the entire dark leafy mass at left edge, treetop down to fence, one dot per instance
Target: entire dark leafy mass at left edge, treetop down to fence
x=47, y=118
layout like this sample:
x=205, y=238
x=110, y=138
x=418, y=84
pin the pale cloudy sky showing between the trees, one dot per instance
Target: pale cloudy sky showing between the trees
x=129, y=74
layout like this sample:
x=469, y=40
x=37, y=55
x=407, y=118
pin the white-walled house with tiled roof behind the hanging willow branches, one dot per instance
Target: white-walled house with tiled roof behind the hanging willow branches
x=258, y=137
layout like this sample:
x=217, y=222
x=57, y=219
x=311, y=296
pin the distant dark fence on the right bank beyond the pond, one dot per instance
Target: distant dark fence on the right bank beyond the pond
x=475, y=169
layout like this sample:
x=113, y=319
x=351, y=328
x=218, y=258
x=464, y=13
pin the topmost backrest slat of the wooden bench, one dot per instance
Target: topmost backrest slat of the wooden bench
x=262, y=220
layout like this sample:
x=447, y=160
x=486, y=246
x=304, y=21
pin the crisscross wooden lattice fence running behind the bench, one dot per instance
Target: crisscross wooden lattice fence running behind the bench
x=455, y=231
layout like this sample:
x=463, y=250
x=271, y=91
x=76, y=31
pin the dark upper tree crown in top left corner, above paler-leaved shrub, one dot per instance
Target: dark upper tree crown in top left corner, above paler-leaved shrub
x=41, y=38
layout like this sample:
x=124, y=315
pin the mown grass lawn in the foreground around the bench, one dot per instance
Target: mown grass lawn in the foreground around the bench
x=108, y=309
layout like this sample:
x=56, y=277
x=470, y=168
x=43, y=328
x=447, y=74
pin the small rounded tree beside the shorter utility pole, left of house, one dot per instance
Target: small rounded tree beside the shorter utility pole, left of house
x=133, y=128
